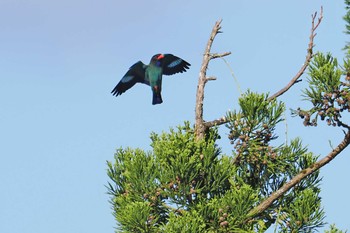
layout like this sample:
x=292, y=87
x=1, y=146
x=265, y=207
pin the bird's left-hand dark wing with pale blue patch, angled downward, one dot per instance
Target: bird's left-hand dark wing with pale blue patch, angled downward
x=136, y=73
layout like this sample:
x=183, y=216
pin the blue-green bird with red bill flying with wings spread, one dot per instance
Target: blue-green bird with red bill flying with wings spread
x=151, y=74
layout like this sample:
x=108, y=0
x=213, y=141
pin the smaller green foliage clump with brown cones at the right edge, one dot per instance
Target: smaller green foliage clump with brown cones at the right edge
x=328, y=92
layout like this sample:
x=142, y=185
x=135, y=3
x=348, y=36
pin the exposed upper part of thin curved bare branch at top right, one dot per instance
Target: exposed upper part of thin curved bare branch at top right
x=308, y=57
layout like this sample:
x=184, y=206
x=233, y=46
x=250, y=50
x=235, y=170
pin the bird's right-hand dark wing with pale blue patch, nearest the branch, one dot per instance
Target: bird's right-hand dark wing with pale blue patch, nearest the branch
x=172, y=64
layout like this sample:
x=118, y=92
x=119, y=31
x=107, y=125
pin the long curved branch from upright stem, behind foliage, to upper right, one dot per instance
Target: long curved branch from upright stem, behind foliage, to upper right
x=295, y=79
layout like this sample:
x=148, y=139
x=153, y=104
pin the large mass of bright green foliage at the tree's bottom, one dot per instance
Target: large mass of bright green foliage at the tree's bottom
x=191, y=185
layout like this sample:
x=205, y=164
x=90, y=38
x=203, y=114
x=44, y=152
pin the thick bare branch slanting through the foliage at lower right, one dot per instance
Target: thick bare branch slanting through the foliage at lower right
x=296, y=179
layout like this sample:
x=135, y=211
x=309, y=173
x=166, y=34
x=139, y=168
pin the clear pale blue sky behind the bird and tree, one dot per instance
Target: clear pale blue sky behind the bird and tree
x=59, y=123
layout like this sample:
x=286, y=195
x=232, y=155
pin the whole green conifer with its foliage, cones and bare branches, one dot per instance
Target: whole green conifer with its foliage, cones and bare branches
x=186, y=183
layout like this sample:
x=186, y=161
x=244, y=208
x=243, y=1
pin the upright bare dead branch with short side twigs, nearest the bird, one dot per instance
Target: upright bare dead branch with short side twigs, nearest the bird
x=200, y=127
